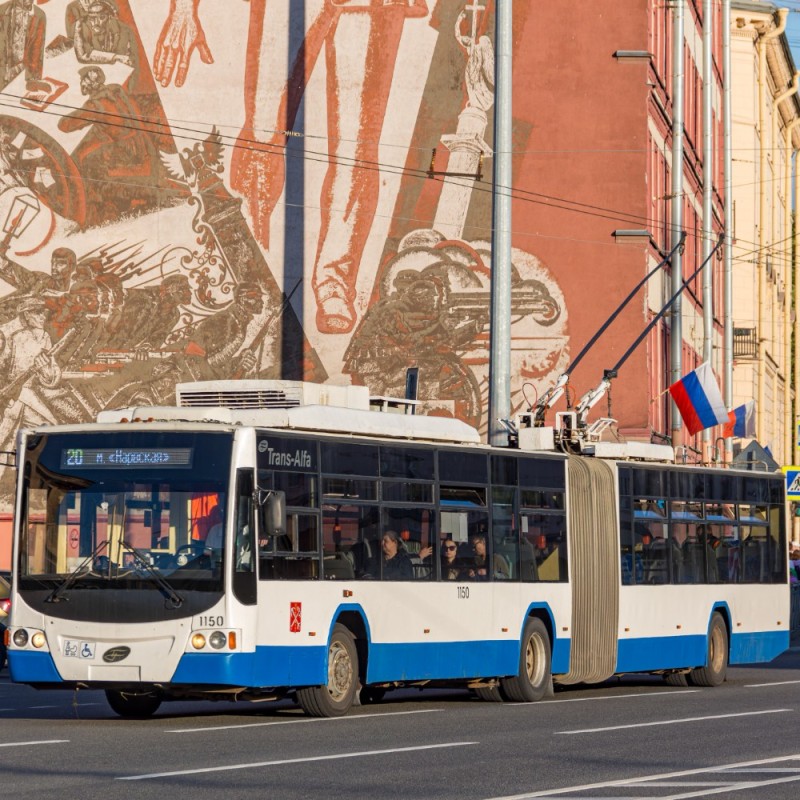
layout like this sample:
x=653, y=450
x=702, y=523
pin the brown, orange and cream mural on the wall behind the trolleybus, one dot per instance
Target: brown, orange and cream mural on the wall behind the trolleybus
x=195, y=189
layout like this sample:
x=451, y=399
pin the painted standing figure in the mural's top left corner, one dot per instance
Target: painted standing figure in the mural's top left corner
x=22, y=37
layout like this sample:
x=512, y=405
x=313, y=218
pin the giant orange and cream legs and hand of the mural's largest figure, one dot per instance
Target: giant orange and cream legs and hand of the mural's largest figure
x=361, y=42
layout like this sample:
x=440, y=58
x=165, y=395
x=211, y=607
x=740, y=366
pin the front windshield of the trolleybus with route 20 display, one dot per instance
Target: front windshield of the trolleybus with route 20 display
x=126, y=509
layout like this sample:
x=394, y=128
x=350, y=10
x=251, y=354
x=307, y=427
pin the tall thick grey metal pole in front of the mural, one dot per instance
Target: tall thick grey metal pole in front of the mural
x=500, y=331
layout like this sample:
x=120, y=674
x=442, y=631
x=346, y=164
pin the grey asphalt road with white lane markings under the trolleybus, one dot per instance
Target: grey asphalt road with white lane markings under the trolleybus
x=632, y=737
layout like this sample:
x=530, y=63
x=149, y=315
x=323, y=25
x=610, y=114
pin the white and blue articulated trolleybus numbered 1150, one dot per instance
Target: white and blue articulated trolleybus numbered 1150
x=265, y=540
